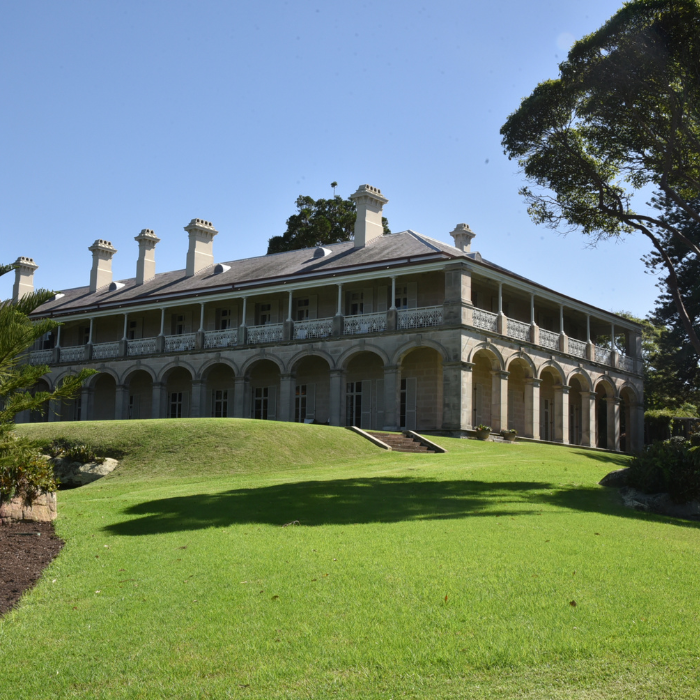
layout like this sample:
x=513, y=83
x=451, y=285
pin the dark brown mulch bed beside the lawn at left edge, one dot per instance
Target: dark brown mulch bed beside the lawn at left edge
x=23, y=556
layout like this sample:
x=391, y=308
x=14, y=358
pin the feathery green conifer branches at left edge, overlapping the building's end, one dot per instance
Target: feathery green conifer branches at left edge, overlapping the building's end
x=21, y=468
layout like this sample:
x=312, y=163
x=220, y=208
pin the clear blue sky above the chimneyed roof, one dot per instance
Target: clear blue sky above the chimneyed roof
x=123, y=116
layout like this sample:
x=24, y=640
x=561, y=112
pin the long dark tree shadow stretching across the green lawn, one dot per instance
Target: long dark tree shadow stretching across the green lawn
x=357, y=501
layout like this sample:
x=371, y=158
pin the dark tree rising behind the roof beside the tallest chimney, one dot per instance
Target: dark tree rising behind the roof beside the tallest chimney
x=318, y=222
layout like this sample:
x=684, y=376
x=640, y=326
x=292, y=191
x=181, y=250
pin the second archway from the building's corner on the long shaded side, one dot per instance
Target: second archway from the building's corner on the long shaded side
x=364, y=391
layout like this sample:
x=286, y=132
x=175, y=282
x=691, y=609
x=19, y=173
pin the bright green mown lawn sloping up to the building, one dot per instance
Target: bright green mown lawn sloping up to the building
x=408, y=576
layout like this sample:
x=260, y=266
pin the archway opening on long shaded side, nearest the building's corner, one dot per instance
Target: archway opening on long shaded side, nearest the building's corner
x=420, y=390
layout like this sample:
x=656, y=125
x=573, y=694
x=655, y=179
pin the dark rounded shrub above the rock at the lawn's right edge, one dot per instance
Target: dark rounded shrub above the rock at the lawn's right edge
x=671, y=466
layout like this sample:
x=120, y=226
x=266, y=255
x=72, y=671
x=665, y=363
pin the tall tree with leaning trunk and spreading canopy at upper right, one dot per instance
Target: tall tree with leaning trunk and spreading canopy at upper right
x=623, y=115
